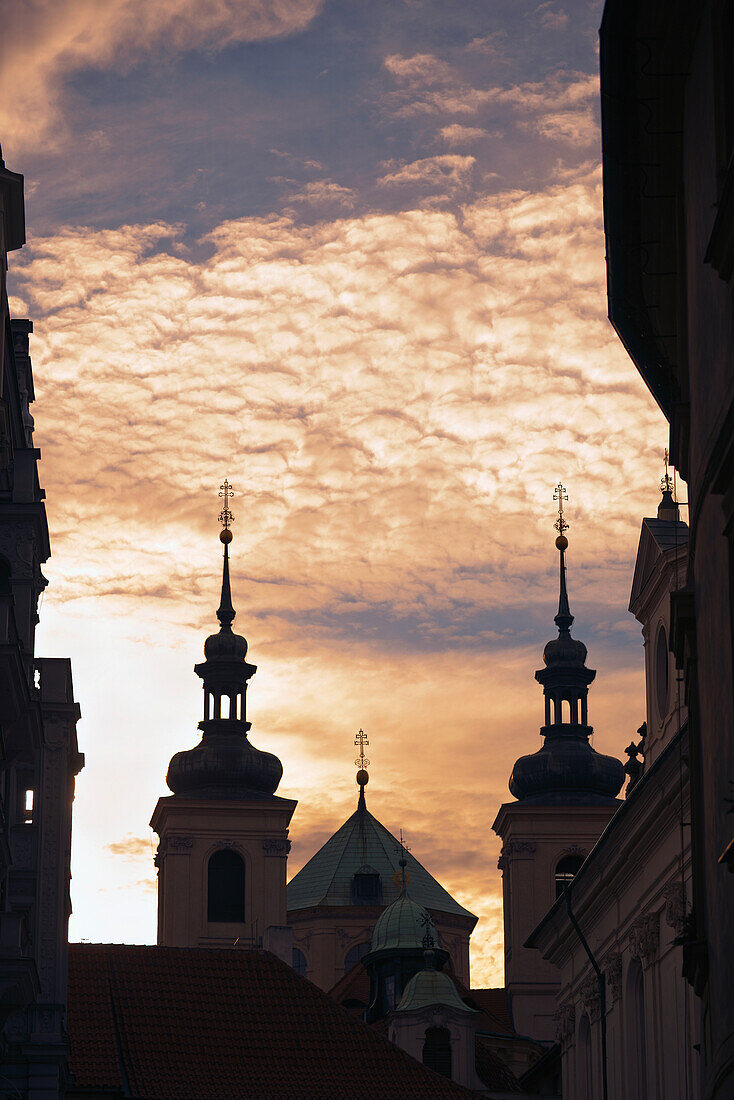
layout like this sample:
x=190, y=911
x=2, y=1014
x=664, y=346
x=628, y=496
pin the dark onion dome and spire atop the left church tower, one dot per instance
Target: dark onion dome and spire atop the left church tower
x=225, y=765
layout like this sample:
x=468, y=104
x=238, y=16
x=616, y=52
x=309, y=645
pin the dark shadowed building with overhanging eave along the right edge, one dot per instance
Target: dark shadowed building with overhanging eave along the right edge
x=669, y=145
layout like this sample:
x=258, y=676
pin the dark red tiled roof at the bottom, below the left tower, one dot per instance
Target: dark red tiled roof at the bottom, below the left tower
x=168, y=1024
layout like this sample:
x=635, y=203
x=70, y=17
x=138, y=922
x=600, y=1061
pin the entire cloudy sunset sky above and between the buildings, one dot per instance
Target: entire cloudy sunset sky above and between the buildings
x=349, y=256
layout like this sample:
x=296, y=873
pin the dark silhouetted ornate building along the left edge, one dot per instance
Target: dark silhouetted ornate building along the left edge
x=39, y=750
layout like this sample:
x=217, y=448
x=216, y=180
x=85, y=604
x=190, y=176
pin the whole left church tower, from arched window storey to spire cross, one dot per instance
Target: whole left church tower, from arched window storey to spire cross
x=224, y=831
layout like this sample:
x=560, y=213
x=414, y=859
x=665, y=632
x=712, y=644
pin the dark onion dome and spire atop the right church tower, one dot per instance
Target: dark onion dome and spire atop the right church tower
x=567, y=771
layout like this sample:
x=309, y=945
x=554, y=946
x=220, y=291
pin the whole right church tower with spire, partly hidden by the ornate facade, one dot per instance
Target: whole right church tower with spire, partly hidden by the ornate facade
x=566, y=796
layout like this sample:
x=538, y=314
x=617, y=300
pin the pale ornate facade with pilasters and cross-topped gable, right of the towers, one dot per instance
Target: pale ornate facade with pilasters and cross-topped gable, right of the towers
x=629, y=1024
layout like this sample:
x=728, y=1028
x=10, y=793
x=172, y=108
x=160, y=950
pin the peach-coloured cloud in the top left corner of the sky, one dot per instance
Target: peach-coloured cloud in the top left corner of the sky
x=46, y=42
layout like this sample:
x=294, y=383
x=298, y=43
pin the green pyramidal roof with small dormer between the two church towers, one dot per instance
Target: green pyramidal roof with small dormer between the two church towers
x=363, y=842
